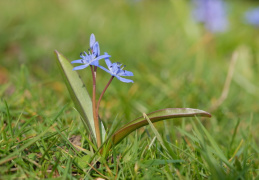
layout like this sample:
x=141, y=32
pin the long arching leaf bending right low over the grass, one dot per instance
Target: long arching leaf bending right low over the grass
x=155, y=116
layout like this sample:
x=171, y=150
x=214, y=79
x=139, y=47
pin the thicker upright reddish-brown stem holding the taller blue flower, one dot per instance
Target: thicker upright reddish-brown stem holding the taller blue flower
x=95, y=114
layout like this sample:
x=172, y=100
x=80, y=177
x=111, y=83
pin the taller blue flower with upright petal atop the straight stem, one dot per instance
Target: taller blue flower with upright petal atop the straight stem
x=92, y=58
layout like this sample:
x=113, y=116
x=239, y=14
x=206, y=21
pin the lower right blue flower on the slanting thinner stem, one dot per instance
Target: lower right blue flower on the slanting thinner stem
x=116, y=70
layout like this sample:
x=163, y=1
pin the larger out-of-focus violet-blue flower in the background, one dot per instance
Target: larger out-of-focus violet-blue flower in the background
x=212, y=13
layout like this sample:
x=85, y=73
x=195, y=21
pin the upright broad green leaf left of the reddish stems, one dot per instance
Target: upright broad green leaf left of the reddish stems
x=78, y=94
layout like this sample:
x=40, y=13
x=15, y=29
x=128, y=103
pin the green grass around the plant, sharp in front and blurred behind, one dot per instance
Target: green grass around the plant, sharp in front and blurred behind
x=175, y=62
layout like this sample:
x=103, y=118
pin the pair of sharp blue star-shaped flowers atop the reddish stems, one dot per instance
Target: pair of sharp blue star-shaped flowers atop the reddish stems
x=93, y=57
